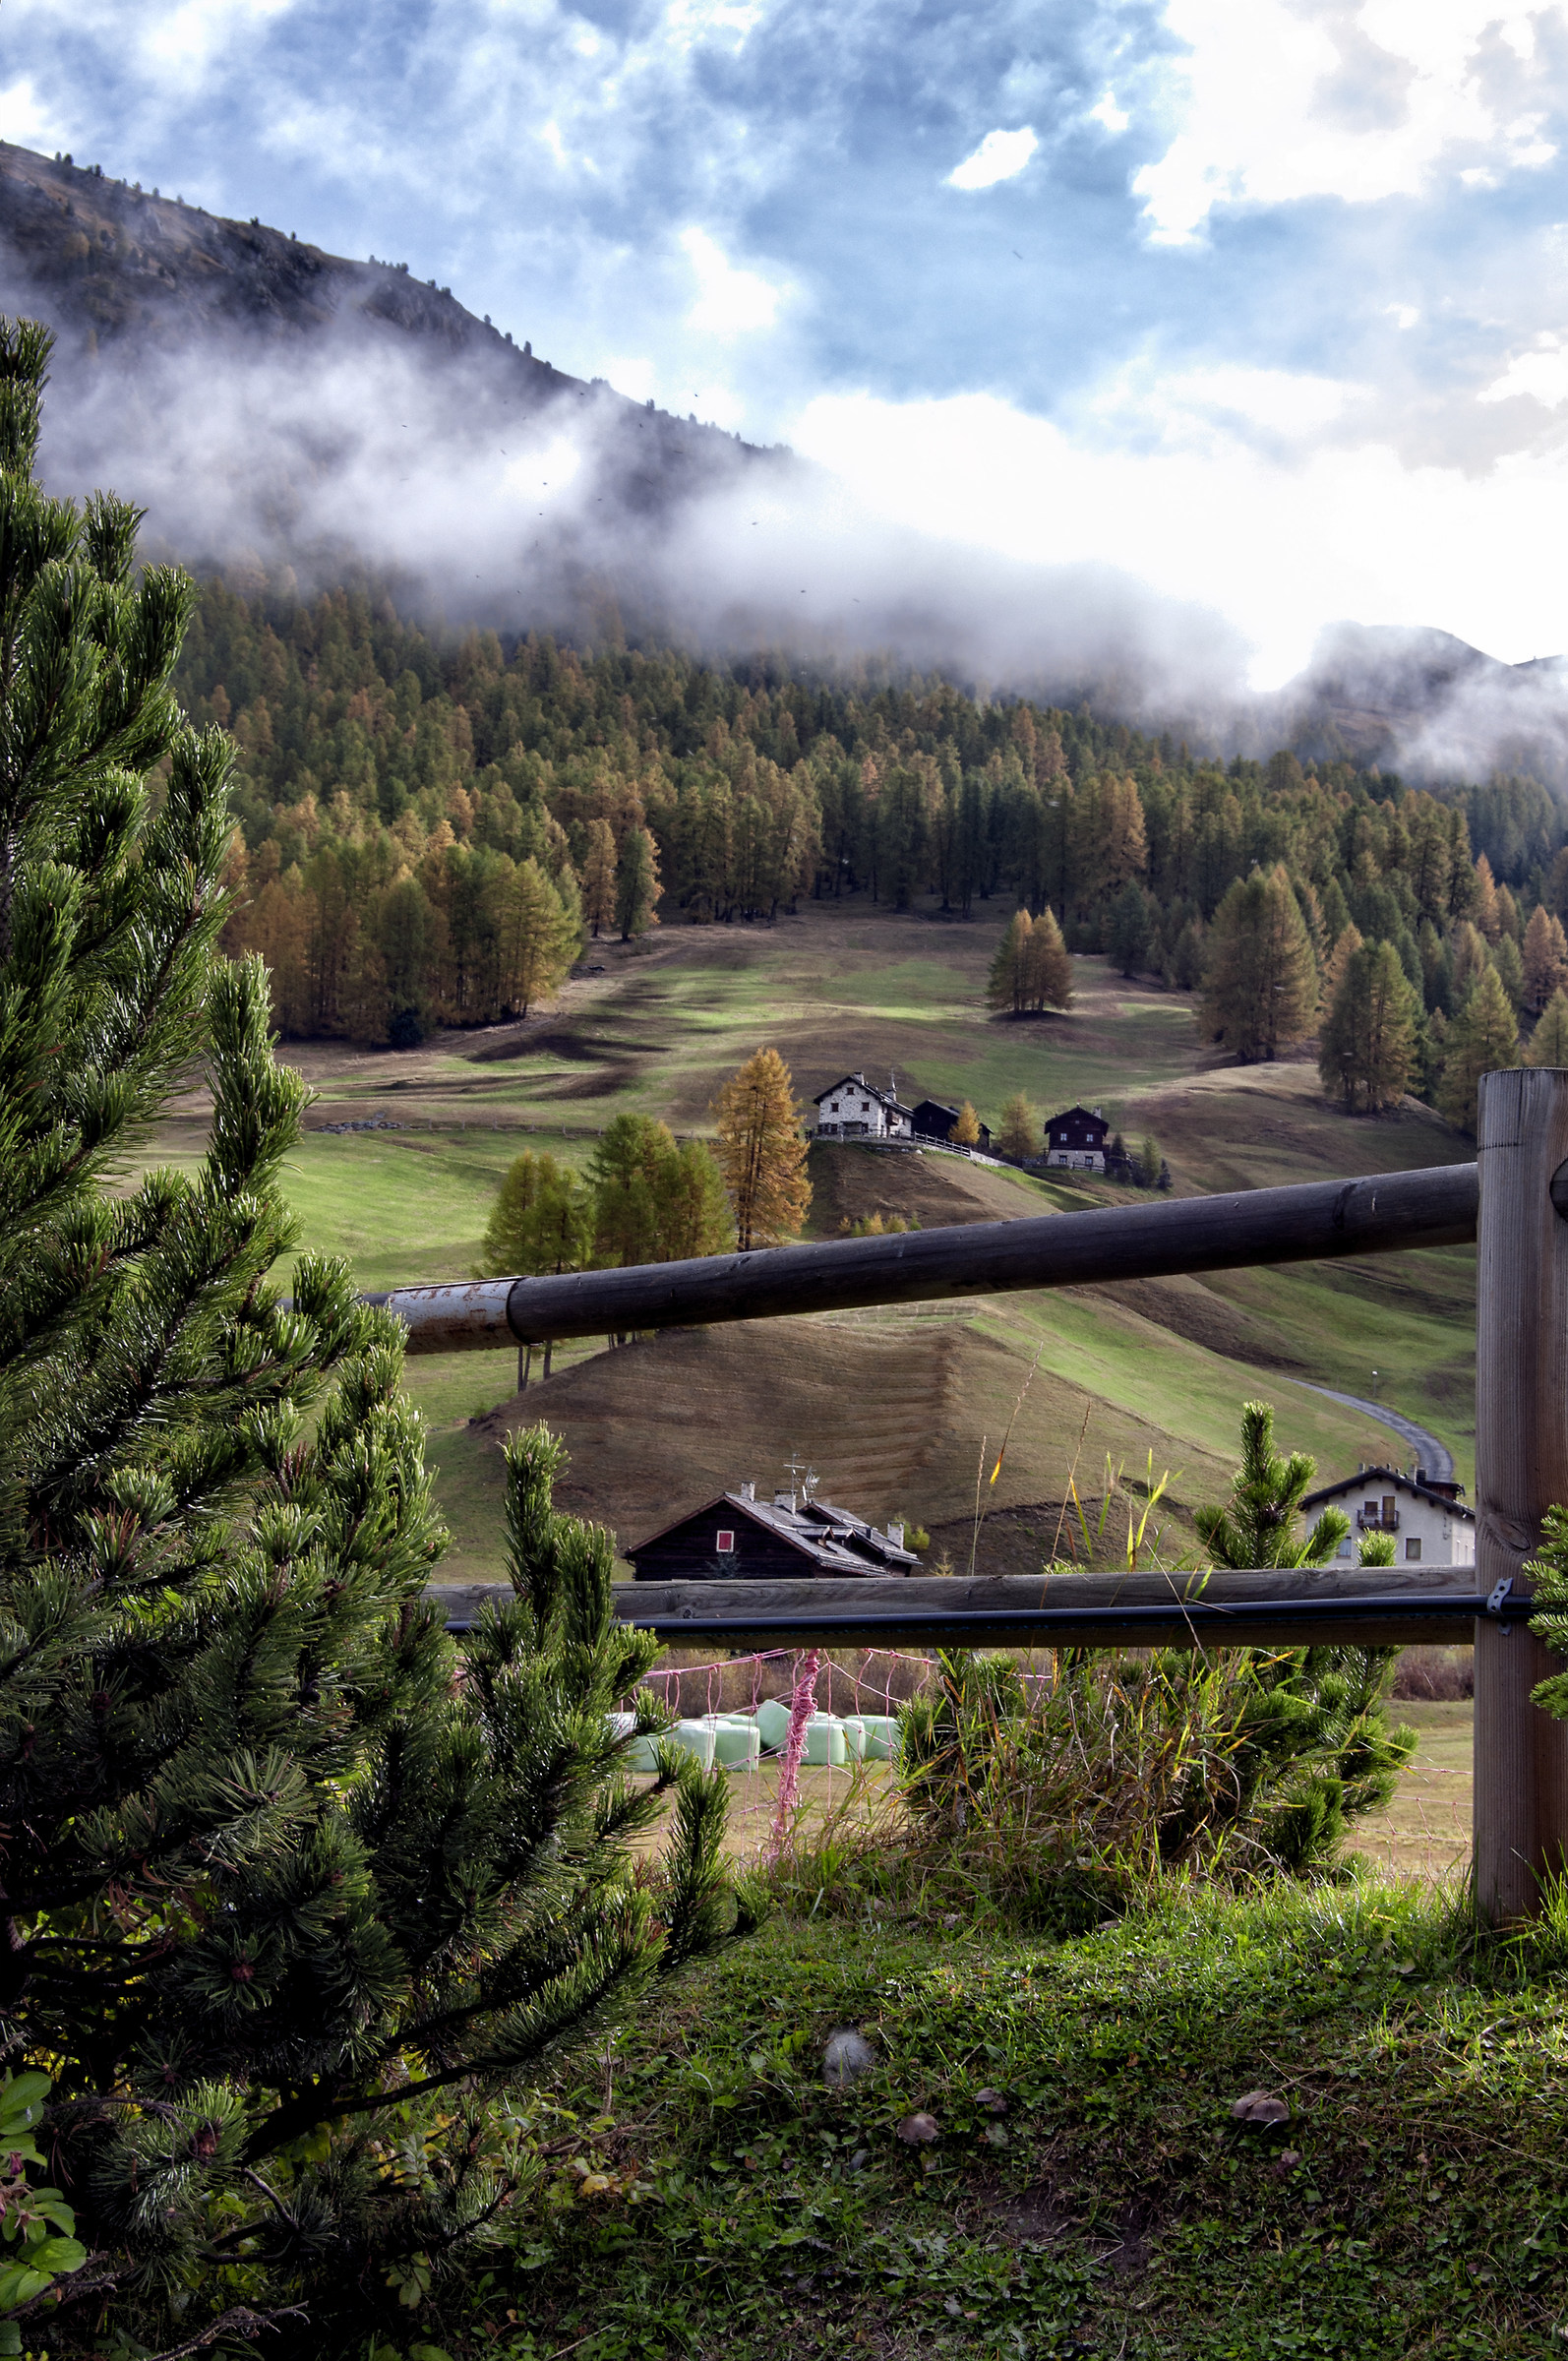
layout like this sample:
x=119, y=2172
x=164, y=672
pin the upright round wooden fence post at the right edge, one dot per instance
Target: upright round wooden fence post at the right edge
x=1522, y=1467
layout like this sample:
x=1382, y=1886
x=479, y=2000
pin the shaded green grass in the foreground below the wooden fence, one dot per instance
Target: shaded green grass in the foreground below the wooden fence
x=1413, y=2204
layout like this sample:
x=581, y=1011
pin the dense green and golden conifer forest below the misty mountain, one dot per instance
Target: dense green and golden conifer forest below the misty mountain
x=433, y=825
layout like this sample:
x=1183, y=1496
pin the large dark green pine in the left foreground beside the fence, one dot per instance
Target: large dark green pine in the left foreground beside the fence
x=294, y=1883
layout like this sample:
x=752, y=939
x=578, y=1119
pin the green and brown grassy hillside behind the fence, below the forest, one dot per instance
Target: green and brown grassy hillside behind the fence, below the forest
x=891, y=1408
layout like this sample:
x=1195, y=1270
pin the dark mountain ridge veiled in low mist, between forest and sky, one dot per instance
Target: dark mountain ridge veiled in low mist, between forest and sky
x=289, y=417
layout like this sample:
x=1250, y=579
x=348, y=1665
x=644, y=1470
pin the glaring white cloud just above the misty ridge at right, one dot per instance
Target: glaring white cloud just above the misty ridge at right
x=1276, y=544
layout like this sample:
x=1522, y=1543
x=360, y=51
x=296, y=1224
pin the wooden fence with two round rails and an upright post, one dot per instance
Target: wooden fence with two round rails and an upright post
x=1513, y=1203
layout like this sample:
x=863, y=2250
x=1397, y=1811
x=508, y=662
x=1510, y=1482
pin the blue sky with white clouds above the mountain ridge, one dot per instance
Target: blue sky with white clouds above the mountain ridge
x=1262, y=301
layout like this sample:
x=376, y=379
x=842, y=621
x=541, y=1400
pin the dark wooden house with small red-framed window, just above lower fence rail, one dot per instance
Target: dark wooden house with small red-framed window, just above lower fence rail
x=740, y=1538
